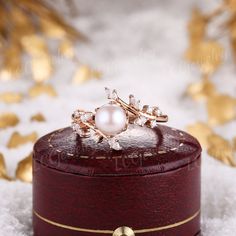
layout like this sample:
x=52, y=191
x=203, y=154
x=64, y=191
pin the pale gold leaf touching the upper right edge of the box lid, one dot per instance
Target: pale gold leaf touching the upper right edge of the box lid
x=201, y=131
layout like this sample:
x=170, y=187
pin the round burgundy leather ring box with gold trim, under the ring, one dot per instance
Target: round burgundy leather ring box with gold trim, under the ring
x=149, y=188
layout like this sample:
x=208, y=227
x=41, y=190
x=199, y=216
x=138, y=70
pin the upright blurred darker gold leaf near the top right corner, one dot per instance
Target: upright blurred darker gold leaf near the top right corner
x=197, y=26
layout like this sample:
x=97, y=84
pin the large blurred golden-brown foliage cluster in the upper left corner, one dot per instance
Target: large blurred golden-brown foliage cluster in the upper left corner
x=24, y=31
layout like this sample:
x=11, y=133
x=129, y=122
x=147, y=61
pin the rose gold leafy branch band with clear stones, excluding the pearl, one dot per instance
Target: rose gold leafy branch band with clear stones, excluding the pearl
x=83, y=122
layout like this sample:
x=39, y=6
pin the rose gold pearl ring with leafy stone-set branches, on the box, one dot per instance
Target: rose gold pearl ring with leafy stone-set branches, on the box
x=114, y=118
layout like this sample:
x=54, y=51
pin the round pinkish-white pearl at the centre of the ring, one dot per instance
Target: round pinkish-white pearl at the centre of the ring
x=110, y=119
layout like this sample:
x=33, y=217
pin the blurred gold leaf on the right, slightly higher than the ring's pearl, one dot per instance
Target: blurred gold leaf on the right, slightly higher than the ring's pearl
x=201, y=90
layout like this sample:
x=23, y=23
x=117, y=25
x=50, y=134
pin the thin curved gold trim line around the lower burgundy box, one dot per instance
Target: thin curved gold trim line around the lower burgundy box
x=101, y=231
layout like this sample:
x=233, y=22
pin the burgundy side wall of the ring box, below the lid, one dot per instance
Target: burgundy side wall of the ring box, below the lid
x=164, y=203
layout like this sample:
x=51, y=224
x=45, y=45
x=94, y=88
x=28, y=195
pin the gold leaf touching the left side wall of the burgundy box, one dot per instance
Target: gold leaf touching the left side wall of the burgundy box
x=24, y=170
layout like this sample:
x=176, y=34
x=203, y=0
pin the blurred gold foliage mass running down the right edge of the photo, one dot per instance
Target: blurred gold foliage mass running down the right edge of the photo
x=208, y=54
